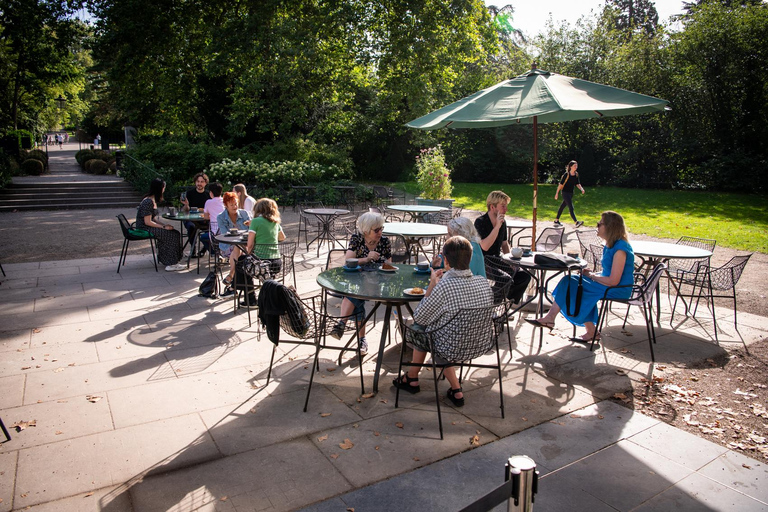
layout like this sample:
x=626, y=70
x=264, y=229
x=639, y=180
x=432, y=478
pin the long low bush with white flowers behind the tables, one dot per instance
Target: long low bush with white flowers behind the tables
x=273, y=173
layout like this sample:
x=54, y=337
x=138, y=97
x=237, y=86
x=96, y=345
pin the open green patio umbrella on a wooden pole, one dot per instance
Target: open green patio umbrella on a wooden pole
x=538, y=97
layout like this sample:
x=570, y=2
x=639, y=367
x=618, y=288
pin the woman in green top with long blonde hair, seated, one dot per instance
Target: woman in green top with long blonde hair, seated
x=265, y=229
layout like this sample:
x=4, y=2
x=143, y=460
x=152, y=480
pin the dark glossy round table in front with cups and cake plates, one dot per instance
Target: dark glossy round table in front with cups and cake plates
x=381, y=287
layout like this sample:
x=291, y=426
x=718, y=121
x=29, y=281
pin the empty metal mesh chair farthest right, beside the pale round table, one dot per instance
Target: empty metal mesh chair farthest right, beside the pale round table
x=720, y=279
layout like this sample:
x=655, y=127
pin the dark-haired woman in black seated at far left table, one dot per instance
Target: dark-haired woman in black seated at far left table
x=168, y=239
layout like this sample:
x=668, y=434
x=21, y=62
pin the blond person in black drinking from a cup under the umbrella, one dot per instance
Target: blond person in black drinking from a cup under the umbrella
x=492, y=228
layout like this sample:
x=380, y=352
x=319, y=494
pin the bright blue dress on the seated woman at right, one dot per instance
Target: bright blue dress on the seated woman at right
x=593, y=291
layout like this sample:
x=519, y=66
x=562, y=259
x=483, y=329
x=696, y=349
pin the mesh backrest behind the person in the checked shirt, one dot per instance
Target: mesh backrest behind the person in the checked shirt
x=467, y=334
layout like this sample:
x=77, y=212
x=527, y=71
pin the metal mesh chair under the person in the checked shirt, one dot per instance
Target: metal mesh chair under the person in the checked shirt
x=456, y=341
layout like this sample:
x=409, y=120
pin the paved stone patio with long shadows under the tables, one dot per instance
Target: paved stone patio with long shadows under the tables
x=147, y=397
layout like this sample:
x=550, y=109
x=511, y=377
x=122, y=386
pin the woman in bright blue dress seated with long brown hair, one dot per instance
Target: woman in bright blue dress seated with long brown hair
x=618, y=270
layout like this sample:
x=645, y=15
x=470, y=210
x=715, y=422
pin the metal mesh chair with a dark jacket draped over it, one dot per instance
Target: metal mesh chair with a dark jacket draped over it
x=310, y=325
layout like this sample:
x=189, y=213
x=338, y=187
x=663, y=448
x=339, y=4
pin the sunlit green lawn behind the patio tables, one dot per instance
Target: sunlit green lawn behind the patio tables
x=737, y=221
